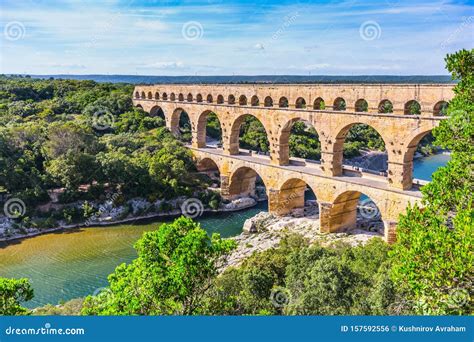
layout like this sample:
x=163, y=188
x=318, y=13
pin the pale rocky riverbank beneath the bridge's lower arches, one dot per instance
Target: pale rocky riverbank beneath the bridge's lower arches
x=265, y=231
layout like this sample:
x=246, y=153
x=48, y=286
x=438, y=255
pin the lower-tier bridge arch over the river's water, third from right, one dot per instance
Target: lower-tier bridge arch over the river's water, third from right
x=242, y=182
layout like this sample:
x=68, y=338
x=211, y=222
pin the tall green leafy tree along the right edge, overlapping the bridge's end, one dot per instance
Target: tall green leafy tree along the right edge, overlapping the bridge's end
x=433, y=258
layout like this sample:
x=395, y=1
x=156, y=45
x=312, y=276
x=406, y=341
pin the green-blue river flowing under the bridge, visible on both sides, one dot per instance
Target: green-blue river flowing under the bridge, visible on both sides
x=71, y=264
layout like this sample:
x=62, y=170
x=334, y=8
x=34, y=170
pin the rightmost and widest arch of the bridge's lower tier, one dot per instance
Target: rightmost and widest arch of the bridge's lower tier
x=348, y=211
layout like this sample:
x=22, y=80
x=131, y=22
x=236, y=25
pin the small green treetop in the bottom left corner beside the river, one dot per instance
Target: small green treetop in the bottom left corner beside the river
x=12, y=293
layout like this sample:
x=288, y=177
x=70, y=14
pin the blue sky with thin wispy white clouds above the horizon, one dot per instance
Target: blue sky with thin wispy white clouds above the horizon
x=217, y=37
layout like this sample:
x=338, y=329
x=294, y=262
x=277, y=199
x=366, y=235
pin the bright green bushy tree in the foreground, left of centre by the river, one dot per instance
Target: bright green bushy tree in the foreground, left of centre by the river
x=175, y=267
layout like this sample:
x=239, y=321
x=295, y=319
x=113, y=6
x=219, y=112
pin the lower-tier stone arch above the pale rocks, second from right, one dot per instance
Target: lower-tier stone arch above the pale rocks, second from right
x=290, y=196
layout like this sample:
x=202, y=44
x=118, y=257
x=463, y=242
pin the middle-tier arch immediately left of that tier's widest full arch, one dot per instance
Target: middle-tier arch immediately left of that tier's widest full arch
x=285, y=150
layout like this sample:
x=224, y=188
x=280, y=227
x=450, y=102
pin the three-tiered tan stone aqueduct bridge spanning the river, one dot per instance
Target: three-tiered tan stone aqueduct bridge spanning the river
x=278, y=107
